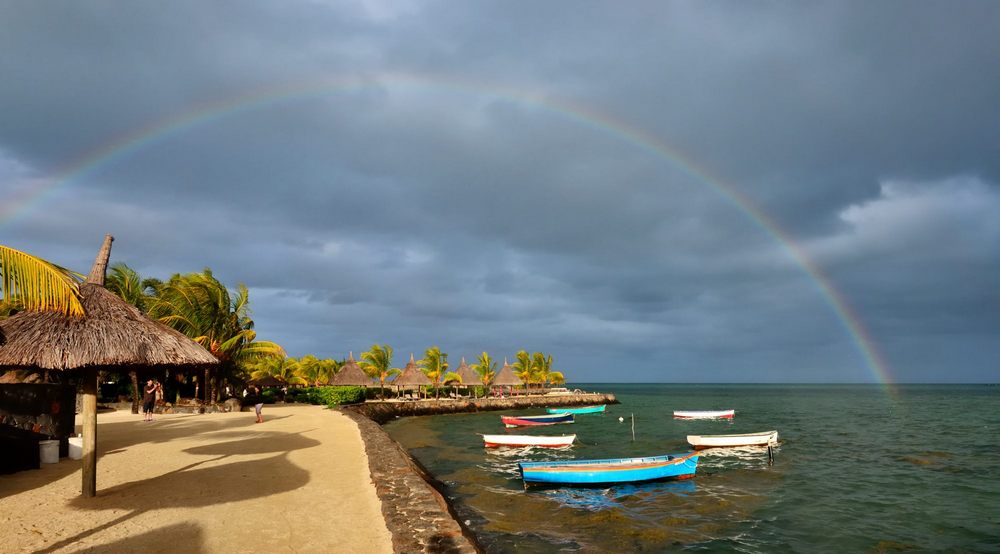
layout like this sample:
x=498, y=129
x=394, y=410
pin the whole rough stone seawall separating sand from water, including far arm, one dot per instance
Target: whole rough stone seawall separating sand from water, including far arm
x=413, y=503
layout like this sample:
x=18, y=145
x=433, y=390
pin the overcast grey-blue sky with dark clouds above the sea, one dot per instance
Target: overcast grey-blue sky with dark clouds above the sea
x=577, y=178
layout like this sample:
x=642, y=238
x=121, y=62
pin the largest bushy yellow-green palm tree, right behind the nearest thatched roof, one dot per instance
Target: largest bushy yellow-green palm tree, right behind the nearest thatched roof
x=202, y=308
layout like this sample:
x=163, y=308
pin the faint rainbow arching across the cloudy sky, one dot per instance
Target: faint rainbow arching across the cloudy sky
x=35, y=191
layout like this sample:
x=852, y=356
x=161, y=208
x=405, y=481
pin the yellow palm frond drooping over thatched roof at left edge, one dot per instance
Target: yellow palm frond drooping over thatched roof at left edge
x=31, y=283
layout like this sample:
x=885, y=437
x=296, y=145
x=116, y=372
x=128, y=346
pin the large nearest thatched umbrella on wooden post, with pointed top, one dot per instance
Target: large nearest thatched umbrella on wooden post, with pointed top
x=112, y=335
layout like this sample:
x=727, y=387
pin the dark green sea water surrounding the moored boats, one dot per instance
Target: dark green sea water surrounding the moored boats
x=857, y=470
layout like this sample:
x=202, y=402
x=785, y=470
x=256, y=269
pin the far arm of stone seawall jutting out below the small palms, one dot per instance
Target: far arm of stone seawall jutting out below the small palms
x=382, y=412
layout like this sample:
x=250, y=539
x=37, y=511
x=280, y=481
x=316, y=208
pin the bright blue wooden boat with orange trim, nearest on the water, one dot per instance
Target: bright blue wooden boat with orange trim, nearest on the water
x=611, y=471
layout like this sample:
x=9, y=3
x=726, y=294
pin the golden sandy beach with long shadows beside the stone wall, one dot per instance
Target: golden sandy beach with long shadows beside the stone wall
x=205, y=483
